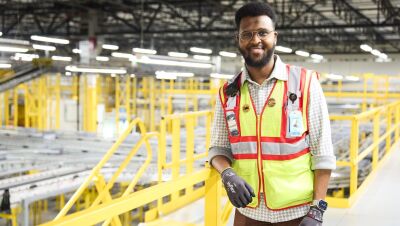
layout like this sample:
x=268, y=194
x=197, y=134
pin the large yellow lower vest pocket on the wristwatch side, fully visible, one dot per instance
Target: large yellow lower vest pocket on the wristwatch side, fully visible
x=288, y=183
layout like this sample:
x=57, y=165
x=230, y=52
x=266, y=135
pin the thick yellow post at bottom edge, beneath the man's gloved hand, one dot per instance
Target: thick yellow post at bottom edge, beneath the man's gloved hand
x=212, y=210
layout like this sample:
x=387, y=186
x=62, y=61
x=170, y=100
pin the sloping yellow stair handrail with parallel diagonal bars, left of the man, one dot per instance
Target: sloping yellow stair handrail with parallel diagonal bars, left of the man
x=95, y=174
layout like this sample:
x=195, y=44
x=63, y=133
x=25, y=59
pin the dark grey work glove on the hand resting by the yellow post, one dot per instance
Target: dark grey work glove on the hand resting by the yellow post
x=239, y=192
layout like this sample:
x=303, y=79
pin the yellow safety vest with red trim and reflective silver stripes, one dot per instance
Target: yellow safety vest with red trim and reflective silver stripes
x=265, y=154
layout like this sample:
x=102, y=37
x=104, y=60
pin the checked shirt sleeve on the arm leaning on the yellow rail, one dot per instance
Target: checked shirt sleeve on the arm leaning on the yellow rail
x=219, y=135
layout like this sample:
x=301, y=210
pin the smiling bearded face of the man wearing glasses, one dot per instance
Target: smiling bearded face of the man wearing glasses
x=257, y=52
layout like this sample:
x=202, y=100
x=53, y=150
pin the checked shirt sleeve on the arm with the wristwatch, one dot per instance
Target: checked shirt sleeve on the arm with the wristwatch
x=320, y=139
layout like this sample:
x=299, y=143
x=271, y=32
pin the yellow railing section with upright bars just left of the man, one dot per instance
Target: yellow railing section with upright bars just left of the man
x=188, y=121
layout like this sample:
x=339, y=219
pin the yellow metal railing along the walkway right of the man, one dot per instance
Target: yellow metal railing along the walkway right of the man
x=389, y=114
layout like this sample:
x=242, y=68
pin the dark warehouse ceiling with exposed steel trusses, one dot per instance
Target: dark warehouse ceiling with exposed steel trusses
x=323, y=27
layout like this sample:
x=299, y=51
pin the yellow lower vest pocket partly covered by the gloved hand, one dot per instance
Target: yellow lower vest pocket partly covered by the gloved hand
x=247, y=169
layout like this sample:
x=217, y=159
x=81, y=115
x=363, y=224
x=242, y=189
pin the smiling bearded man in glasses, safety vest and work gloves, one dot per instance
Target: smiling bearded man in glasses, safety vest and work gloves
x=271, y=137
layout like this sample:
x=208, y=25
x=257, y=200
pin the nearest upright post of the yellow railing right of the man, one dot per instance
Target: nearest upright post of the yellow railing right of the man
x=354, y=156
